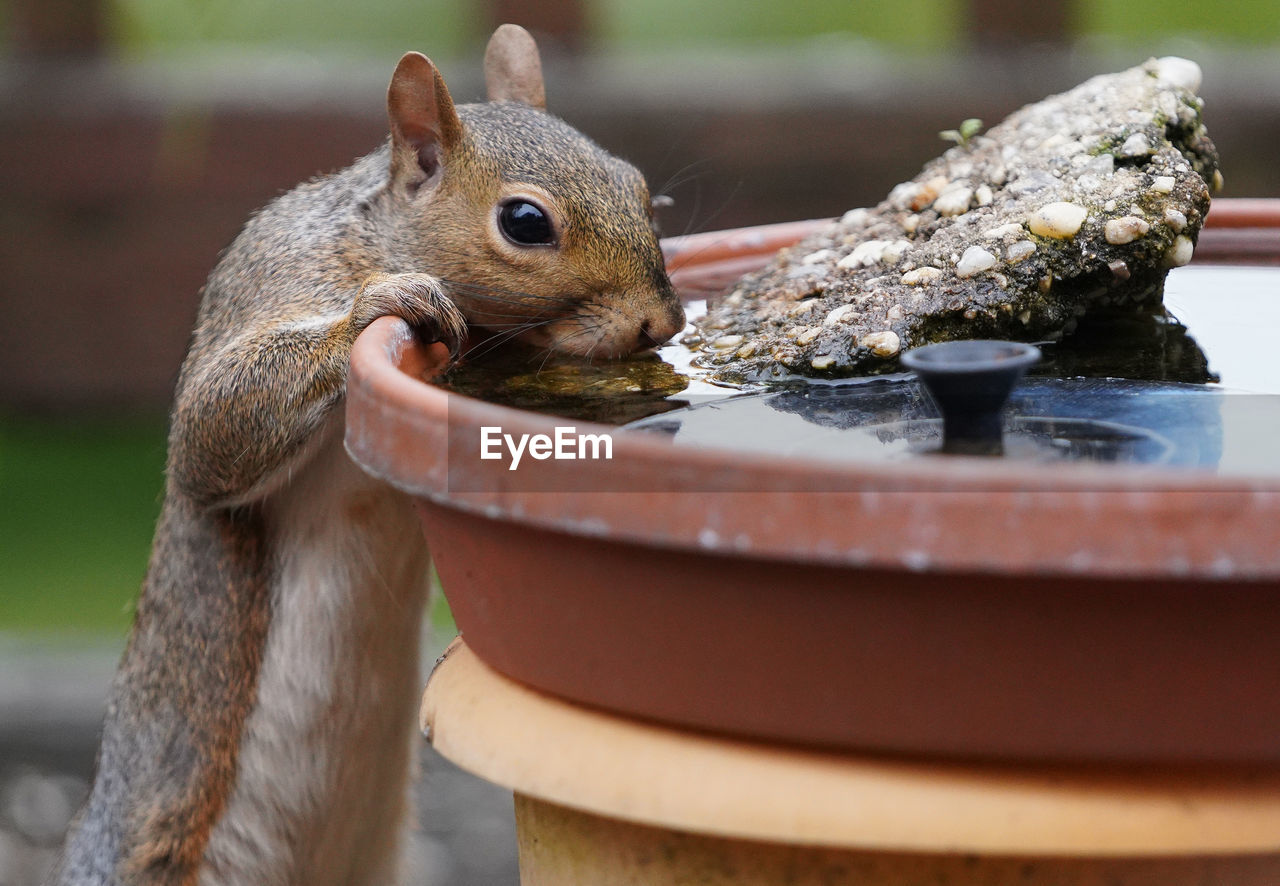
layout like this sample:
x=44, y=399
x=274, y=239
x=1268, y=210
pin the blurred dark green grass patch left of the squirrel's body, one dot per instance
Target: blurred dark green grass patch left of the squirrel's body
x=79, y=504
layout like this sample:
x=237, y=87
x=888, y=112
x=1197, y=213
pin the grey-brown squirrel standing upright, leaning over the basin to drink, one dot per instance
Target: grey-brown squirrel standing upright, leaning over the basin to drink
x=260, y=728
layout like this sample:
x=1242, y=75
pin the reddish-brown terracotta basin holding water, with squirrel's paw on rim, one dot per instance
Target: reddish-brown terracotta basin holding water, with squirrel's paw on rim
x=934, y=608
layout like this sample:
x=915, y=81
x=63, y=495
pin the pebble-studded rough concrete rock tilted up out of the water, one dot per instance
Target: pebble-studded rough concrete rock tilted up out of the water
x=1016, y=234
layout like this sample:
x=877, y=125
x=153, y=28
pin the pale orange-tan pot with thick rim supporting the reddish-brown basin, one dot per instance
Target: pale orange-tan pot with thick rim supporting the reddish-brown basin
x=604, y=801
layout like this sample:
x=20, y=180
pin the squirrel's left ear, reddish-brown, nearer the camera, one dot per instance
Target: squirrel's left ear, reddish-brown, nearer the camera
x=426, y=126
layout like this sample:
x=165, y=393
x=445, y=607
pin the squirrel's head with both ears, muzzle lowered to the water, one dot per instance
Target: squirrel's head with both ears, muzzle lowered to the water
x=534, y=229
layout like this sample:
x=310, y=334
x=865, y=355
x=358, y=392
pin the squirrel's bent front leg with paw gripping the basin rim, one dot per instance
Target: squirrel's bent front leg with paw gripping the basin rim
x=248, y=412
